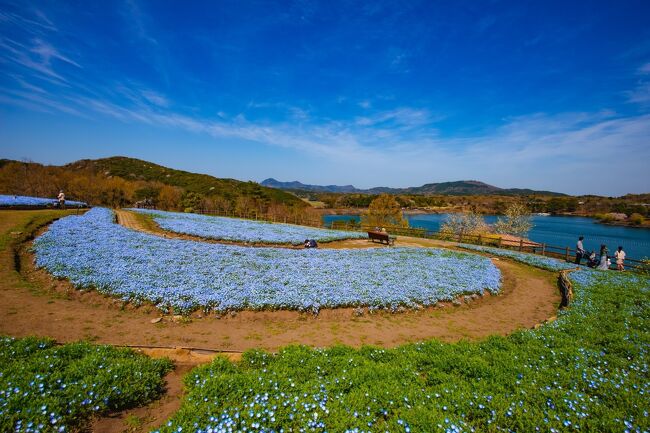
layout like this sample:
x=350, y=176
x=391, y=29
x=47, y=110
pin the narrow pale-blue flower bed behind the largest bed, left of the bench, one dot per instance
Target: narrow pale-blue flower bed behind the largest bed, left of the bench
x=242, y=230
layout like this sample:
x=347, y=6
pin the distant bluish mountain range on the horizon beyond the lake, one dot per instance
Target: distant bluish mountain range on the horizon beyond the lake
x=462, y=187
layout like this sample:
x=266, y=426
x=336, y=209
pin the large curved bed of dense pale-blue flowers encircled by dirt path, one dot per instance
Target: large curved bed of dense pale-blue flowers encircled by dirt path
x=92, y=251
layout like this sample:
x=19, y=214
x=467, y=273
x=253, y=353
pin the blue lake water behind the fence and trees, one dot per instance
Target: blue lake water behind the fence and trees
x=561, y=231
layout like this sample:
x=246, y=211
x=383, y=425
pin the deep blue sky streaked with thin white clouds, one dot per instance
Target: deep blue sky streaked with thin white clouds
x=544, y=94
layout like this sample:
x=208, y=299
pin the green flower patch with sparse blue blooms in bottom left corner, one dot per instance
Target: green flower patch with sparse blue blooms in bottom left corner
x=48, y=388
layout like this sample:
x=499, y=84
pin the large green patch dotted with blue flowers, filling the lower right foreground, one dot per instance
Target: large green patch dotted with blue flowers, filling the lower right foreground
x=587, y=371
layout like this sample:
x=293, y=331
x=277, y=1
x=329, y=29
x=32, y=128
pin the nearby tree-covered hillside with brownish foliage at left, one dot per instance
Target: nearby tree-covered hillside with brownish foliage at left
x=120, y=181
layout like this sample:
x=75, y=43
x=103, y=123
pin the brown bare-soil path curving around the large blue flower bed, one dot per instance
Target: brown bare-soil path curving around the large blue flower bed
x=34, y=303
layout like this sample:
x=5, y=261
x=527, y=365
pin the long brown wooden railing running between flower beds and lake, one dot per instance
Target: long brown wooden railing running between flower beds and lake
x=559, y=252
